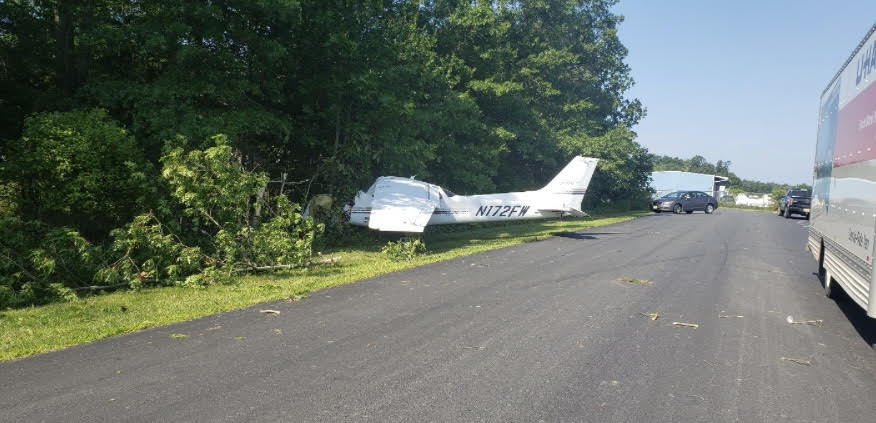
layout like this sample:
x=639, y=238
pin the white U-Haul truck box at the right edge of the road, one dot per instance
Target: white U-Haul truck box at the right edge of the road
x=843, y=218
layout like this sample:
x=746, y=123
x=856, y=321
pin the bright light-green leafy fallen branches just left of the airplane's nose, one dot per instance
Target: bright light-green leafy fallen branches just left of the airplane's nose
x=231, y=227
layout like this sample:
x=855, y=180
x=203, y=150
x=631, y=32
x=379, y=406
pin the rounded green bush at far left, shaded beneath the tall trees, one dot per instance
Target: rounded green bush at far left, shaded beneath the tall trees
x=78, y=169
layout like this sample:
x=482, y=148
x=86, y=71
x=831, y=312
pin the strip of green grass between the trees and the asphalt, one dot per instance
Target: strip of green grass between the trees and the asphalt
x=38, y=329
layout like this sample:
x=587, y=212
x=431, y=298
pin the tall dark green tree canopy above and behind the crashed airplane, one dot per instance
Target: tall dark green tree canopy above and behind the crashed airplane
x=474, y=95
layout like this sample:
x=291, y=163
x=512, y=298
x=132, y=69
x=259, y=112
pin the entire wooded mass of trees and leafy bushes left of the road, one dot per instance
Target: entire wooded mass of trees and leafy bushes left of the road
x=475, y=96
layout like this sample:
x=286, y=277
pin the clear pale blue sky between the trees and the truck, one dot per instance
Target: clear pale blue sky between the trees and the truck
x=738, y=80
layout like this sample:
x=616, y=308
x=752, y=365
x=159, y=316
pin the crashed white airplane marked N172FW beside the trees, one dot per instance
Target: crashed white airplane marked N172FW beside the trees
x=395, y=204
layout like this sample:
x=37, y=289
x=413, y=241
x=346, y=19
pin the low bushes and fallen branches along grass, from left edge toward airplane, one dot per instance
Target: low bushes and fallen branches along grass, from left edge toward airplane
x=219, y=222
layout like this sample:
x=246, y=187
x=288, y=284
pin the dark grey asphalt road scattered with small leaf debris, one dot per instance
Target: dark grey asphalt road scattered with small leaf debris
x=543, y=331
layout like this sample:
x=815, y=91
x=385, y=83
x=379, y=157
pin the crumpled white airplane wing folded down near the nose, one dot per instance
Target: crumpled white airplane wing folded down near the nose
x=402, y=205
